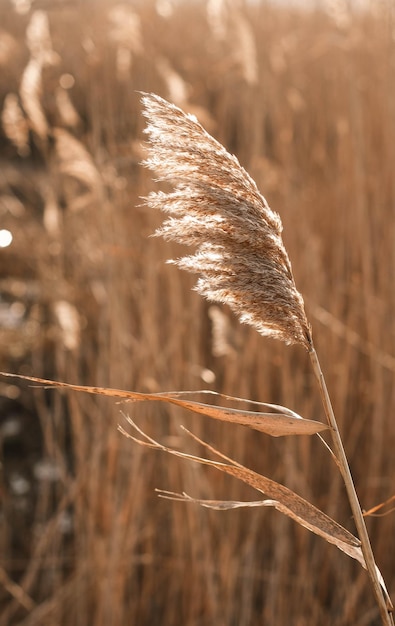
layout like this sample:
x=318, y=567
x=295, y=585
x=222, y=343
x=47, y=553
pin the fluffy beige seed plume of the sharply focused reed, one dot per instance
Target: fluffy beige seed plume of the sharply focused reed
x=216, y=206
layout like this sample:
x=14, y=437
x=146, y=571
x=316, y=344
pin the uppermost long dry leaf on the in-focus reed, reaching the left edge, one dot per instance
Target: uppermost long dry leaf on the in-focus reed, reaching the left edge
x=284, y=422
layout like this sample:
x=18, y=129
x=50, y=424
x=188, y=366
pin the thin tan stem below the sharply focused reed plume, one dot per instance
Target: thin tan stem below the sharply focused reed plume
x=383, y=600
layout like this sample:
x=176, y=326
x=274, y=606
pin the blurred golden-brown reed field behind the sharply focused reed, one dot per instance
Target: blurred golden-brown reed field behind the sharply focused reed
x=306, y=99
